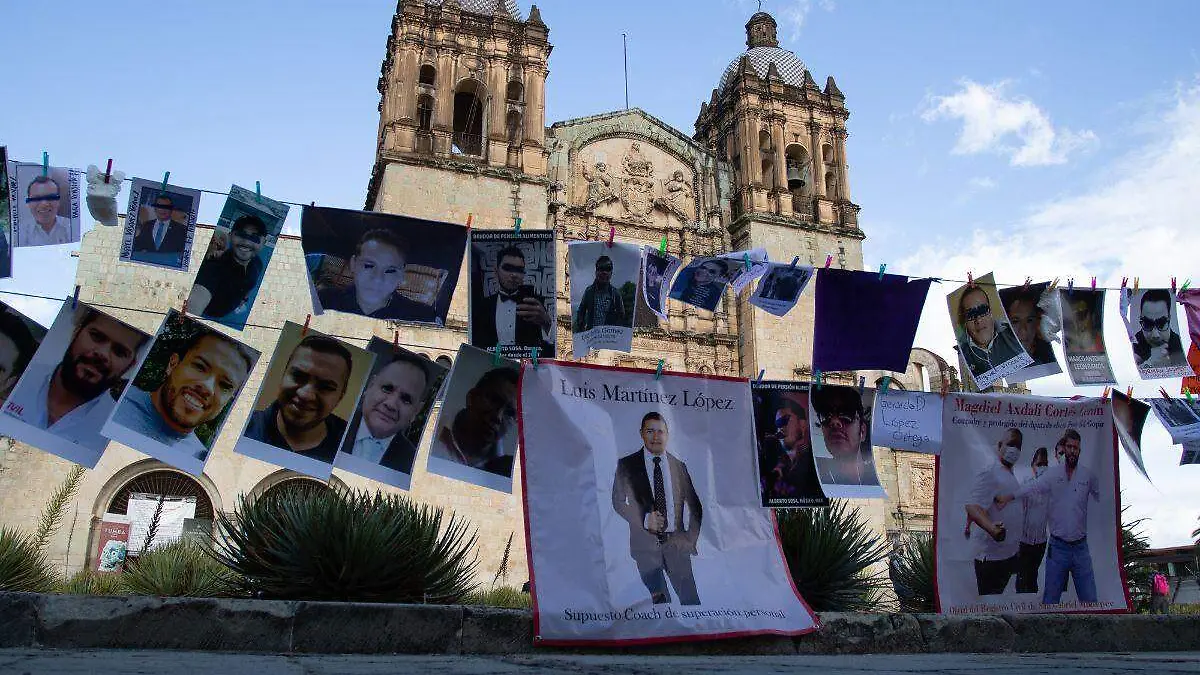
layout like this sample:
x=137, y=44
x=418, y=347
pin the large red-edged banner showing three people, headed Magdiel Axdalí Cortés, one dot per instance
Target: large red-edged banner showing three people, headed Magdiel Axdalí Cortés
x=1028, y=507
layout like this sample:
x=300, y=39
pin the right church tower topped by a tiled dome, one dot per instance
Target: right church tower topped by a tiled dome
x=785, y=140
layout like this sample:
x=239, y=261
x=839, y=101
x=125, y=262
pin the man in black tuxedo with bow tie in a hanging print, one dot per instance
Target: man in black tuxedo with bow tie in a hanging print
x=517, y=314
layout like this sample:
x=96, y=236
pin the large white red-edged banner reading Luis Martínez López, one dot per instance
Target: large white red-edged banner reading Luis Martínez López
x=644, y=510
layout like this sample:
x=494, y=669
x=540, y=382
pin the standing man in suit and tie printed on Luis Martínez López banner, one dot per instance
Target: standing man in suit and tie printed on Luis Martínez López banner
x=659, y=503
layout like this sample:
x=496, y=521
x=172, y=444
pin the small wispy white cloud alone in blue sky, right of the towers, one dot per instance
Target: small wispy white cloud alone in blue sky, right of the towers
x=994, y=122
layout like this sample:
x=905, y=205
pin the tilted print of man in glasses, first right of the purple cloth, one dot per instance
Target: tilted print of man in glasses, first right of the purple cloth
x=987, y=342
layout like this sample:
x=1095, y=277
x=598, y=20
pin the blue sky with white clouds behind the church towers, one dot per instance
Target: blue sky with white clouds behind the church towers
x=1033, y=139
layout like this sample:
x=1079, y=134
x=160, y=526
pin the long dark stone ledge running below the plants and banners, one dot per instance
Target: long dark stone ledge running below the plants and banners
x=29, y=620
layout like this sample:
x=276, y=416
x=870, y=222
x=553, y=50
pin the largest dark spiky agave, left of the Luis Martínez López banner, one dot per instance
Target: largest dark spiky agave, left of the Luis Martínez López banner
x=335, y=546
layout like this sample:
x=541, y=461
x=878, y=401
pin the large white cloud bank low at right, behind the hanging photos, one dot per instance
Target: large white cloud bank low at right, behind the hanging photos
x=1137, y=220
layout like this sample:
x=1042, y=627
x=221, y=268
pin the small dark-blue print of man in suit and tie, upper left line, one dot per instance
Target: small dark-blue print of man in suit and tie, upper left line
x=160, y=225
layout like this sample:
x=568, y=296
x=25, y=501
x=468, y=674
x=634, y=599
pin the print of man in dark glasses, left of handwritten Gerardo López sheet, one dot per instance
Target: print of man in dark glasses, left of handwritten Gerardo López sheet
x=841, y=427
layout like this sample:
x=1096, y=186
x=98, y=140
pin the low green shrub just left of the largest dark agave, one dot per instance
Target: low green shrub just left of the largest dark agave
x=181, y=569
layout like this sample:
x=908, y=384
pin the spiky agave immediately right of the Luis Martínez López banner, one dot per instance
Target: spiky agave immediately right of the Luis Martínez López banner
x=835, y=558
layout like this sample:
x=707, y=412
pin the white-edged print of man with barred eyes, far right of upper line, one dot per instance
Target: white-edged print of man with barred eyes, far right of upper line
x=1154, y=331
